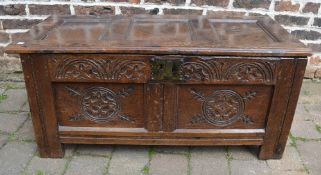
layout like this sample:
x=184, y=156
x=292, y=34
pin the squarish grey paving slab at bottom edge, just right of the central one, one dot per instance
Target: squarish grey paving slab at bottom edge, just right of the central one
x=208, y=161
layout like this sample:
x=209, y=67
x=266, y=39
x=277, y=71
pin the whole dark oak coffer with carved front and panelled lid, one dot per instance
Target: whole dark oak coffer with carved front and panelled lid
x=161, y=80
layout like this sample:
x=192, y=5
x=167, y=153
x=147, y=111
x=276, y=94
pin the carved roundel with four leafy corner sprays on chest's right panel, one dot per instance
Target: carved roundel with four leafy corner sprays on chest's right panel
x=222, y=107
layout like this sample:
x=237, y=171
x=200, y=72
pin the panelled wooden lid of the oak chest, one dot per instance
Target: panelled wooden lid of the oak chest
x=190, y=35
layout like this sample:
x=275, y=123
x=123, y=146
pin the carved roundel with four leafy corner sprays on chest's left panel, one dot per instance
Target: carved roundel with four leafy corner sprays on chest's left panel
x=99, y=104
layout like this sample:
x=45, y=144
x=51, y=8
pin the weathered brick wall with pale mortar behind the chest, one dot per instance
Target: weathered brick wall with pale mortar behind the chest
x=300, y=17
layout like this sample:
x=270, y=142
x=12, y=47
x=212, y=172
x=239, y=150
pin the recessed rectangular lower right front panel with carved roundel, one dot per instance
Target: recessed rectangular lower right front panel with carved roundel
x=206, y=106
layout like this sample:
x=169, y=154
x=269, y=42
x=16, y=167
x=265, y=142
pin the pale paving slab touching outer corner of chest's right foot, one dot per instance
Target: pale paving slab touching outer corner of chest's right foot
x=290, y=161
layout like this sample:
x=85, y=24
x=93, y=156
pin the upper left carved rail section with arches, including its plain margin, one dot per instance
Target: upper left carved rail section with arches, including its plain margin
x=99, y=68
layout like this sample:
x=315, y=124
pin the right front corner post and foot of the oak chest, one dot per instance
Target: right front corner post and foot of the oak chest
x=283, y=109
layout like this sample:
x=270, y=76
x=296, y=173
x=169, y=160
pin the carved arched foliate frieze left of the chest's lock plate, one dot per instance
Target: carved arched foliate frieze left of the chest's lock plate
x=103, y=69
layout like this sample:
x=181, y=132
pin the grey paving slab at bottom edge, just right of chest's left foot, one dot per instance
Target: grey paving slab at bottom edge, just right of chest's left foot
x=85, y=165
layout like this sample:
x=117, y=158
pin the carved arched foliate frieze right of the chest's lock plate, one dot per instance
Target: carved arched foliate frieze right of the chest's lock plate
x=225, y=70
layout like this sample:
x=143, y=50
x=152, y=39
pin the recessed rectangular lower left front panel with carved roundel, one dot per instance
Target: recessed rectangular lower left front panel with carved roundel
x=112, y=105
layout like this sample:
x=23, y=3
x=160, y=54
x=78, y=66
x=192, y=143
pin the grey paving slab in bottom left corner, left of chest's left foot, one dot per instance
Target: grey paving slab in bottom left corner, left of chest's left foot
x=14, y=156
